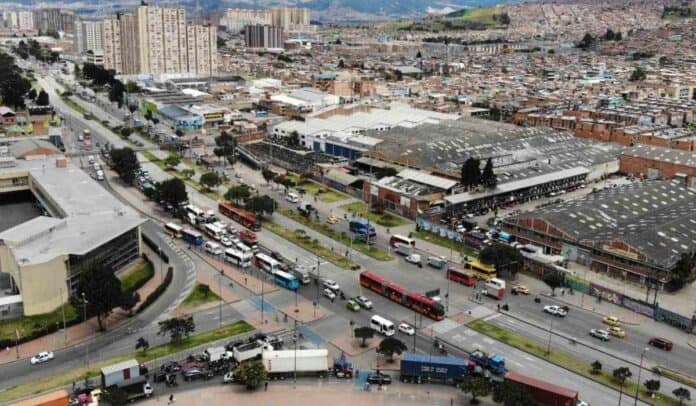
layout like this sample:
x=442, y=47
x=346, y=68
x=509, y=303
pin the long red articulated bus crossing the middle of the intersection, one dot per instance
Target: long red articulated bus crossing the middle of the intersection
x=399, y=294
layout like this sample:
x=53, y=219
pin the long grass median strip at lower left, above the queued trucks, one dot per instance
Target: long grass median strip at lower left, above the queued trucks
x=42, y=385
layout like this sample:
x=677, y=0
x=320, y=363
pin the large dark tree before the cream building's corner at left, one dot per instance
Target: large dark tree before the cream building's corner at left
x=101, y=290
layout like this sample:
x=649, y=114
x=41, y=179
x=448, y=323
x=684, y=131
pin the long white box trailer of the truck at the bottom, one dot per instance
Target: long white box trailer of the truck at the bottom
x=283, y=364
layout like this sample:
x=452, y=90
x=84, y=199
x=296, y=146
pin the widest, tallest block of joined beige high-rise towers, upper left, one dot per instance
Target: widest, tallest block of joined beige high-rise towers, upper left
x=158, y=40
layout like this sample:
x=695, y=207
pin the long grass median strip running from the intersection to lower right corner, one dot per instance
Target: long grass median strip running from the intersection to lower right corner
x=568, y=362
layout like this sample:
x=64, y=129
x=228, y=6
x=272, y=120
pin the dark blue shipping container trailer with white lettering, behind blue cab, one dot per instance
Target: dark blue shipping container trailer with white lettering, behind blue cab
x=421, y=368
